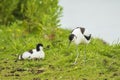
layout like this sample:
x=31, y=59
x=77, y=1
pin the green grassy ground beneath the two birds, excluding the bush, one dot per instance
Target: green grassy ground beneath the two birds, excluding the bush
x=102, y=63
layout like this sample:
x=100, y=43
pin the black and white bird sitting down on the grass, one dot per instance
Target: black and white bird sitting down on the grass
x=37, y=53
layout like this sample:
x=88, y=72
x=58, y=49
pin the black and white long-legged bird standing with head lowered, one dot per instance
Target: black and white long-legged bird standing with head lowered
x=78, y=36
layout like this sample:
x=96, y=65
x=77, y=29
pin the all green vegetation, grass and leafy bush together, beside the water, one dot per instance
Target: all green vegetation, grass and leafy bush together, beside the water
x=24, y=23
